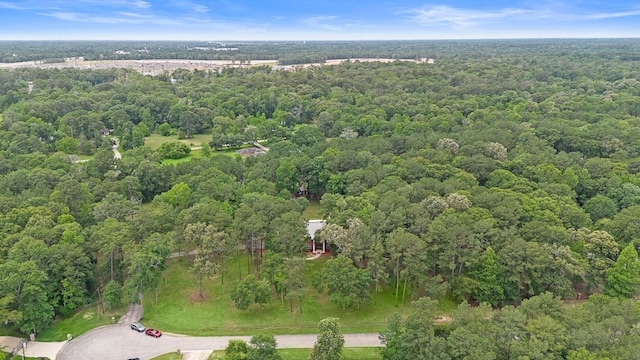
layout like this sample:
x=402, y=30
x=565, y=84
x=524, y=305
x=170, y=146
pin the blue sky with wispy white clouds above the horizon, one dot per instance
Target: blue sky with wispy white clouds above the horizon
x=314, y=20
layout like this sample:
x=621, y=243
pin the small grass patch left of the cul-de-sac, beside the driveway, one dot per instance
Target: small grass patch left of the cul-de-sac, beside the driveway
x=78, y=324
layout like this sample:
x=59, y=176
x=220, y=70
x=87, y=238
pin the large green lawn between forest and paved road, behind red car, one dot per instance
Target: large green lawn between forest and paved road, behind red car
x=180, y=310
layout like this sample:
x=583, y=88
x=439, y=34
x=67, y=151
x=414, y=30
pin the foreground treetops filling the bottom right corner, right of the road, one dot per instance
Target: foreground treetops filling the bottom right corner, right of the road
x=540, y=328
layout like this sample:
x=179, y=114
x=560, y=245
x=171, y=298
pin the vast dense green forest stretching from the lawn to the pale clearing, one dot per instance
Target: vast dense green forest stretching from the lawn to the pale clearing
x=498, y=173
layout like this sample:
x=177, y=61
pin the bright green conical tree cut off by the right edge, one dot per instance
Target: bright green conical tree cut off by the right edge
x=623, y=279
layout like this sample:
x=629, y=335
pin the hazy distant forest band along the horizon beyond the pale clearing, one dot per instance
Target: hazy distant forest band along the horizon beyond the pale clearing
x=304, y=52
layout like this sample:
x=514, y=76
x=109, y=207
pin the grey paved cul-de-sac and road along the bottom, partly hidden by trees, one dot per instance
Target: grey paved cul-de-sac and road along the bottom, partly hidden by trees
x=119, y=342
